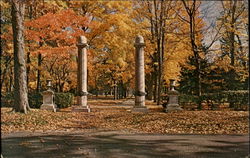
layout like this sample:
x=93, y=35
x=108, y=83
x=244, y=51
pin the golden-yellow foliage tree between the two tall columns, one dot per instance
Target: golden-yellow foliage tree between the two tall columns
x=110, y=36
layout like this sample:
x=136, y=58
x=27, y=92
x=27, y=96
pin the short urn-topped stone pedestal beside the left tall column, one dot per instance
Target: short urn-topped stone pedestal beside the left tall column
x=48, y=98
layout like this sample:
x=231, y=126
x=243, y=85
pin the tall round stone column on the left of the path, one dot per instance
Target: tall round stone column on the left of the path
x=82, y=76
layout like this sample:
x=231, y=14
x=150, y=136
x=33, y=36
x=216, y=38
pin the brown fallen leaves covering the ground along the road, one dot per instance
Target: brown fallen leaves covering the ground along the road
x=184, y=122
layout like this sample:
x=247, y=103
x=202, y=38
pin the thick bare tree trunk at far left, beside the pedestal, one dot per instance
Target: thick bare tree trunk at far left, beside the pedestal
x=21, y=103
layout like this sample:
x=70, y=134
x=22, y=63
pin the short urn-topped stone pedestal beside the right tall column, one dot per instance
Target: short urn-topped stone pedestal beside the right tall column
x=173, y=104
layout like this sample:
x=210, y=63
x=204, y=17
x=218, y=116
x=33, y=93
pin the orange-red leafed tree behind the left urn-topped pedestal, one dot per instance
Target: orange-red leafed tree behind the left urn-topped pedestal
x=57, y=33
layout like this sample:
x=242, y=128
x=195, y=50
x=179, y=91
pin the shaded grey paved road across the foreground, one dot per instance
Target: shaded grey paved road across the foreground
x=114, y=144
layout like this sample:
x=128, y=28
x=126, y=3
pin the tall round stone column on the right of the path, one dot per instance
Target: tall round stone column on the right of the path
x=139, y=76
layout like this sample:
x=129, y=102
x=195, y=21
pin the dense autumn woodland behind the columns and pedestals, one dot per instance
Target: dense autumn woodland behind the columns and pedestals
x=204, y=56
